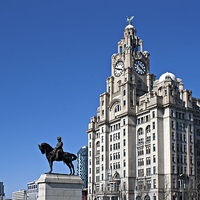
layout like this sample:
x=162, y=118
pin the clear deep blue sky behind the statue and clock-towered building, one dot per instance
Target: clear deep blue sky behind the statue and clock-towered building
x=55, y=58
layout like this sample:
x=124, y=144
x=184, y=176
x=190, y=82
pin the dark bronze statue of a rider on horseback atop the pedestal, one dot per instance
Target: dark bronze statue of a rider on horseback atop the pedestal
x=57, y=154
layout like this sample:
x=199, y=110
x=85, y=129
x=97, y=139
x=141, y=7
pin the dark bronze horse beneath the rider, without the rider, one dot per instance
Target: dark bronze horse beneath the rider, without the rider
x=67, y=158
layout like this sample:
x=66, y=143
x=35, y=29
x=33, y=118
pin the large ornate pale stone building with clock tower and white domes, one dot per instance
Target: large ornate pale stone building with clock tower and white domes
x=143, y=143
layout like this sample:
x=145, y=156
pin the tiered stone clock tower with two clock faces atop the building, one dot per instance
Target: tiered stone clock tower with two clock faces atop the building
x=130, y=66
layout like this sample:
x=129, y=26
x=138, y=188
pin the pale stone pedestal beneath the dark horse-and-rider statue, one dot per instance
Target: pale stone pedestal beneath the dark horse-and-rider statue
x=59, y=187
